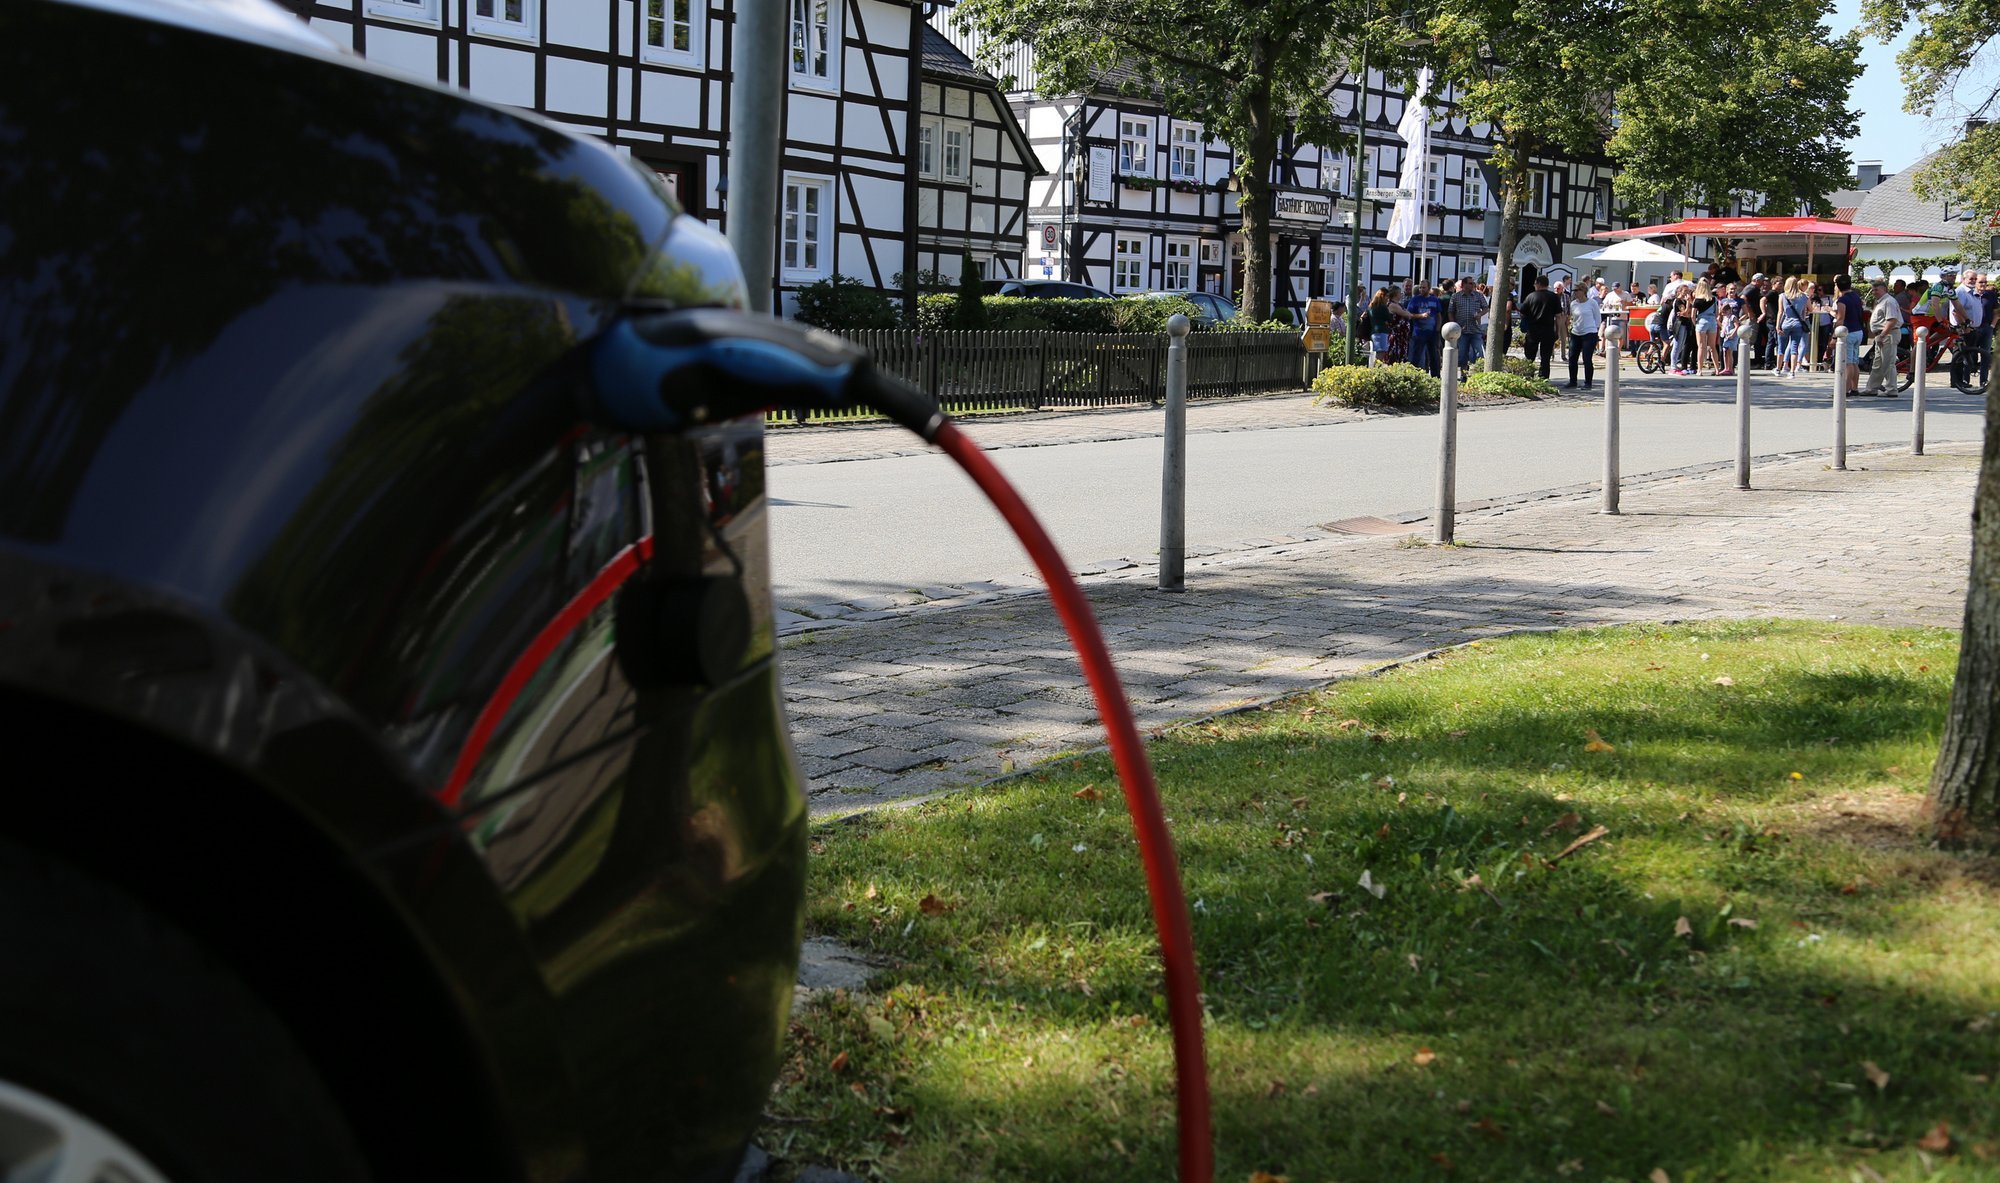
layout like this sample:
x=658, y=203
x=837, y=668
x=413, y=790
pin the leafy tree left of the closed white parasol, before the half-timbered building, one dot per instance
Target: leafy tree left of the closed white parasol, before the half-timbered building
x=1243, y=69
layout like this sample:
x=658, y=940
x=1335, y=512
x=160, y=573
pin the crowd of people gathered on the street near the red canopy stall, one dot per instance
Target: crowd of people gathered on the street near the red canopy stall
x=1703, y=321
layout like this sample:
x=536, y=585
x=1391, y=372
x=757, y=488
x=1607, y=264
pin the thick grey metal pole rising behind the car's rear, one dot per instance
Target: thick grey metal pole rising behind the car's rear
x=757, y=135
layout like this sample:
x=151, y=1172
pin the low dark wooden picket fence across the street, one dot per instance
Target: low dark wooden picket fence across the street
x=1009, y=371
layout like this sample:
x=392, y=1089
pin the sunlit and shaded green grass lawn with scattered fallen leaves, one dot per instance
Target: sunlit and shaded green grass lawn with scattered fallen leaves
x=1757, y=974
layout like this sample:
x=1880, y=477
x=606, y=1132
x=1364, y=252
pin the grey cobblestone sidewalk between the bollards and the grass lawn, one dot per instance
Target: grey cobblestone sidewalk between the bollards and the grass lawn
x=945, y=696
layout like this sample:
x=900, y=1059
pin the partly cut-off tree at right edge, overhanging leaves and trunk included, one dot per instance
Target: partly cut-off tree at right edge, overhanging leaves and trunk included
x=1945, y=67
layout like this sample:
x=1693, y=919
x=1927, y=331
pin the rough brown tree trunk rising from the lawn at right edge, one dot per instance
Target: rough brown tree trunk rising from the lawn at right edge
x=1965, y=788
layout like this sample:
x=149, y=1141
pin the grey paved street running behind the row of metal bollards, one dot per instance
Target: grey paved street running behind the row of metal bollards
x=895, y=525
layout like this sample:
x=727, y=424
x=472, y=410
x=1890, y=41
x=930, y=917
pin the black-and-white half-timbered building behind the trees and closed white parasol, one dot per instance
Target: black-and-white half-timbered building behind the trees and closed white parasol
x=1141, y=201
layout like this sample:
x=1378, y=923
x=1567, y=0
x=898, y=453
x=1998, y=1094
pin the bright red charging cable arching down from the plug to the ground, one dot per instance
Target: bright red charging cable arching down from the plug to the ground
x=1143, y=798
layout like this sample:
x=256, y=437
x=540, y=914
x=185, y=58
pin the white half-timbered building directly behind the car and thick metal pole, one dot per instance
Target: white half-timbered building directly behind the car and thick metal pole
x=653, y=79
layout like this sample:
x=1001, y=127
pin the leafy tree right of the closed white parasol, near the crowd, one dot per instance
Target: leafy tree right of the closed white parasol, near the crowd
x=1695, y=101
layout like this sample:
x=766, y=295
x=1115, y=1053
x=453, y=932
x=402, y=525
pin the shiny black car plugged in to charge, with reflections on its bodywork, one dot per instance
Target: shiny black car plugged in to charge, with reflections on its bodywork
x=397, y=774
